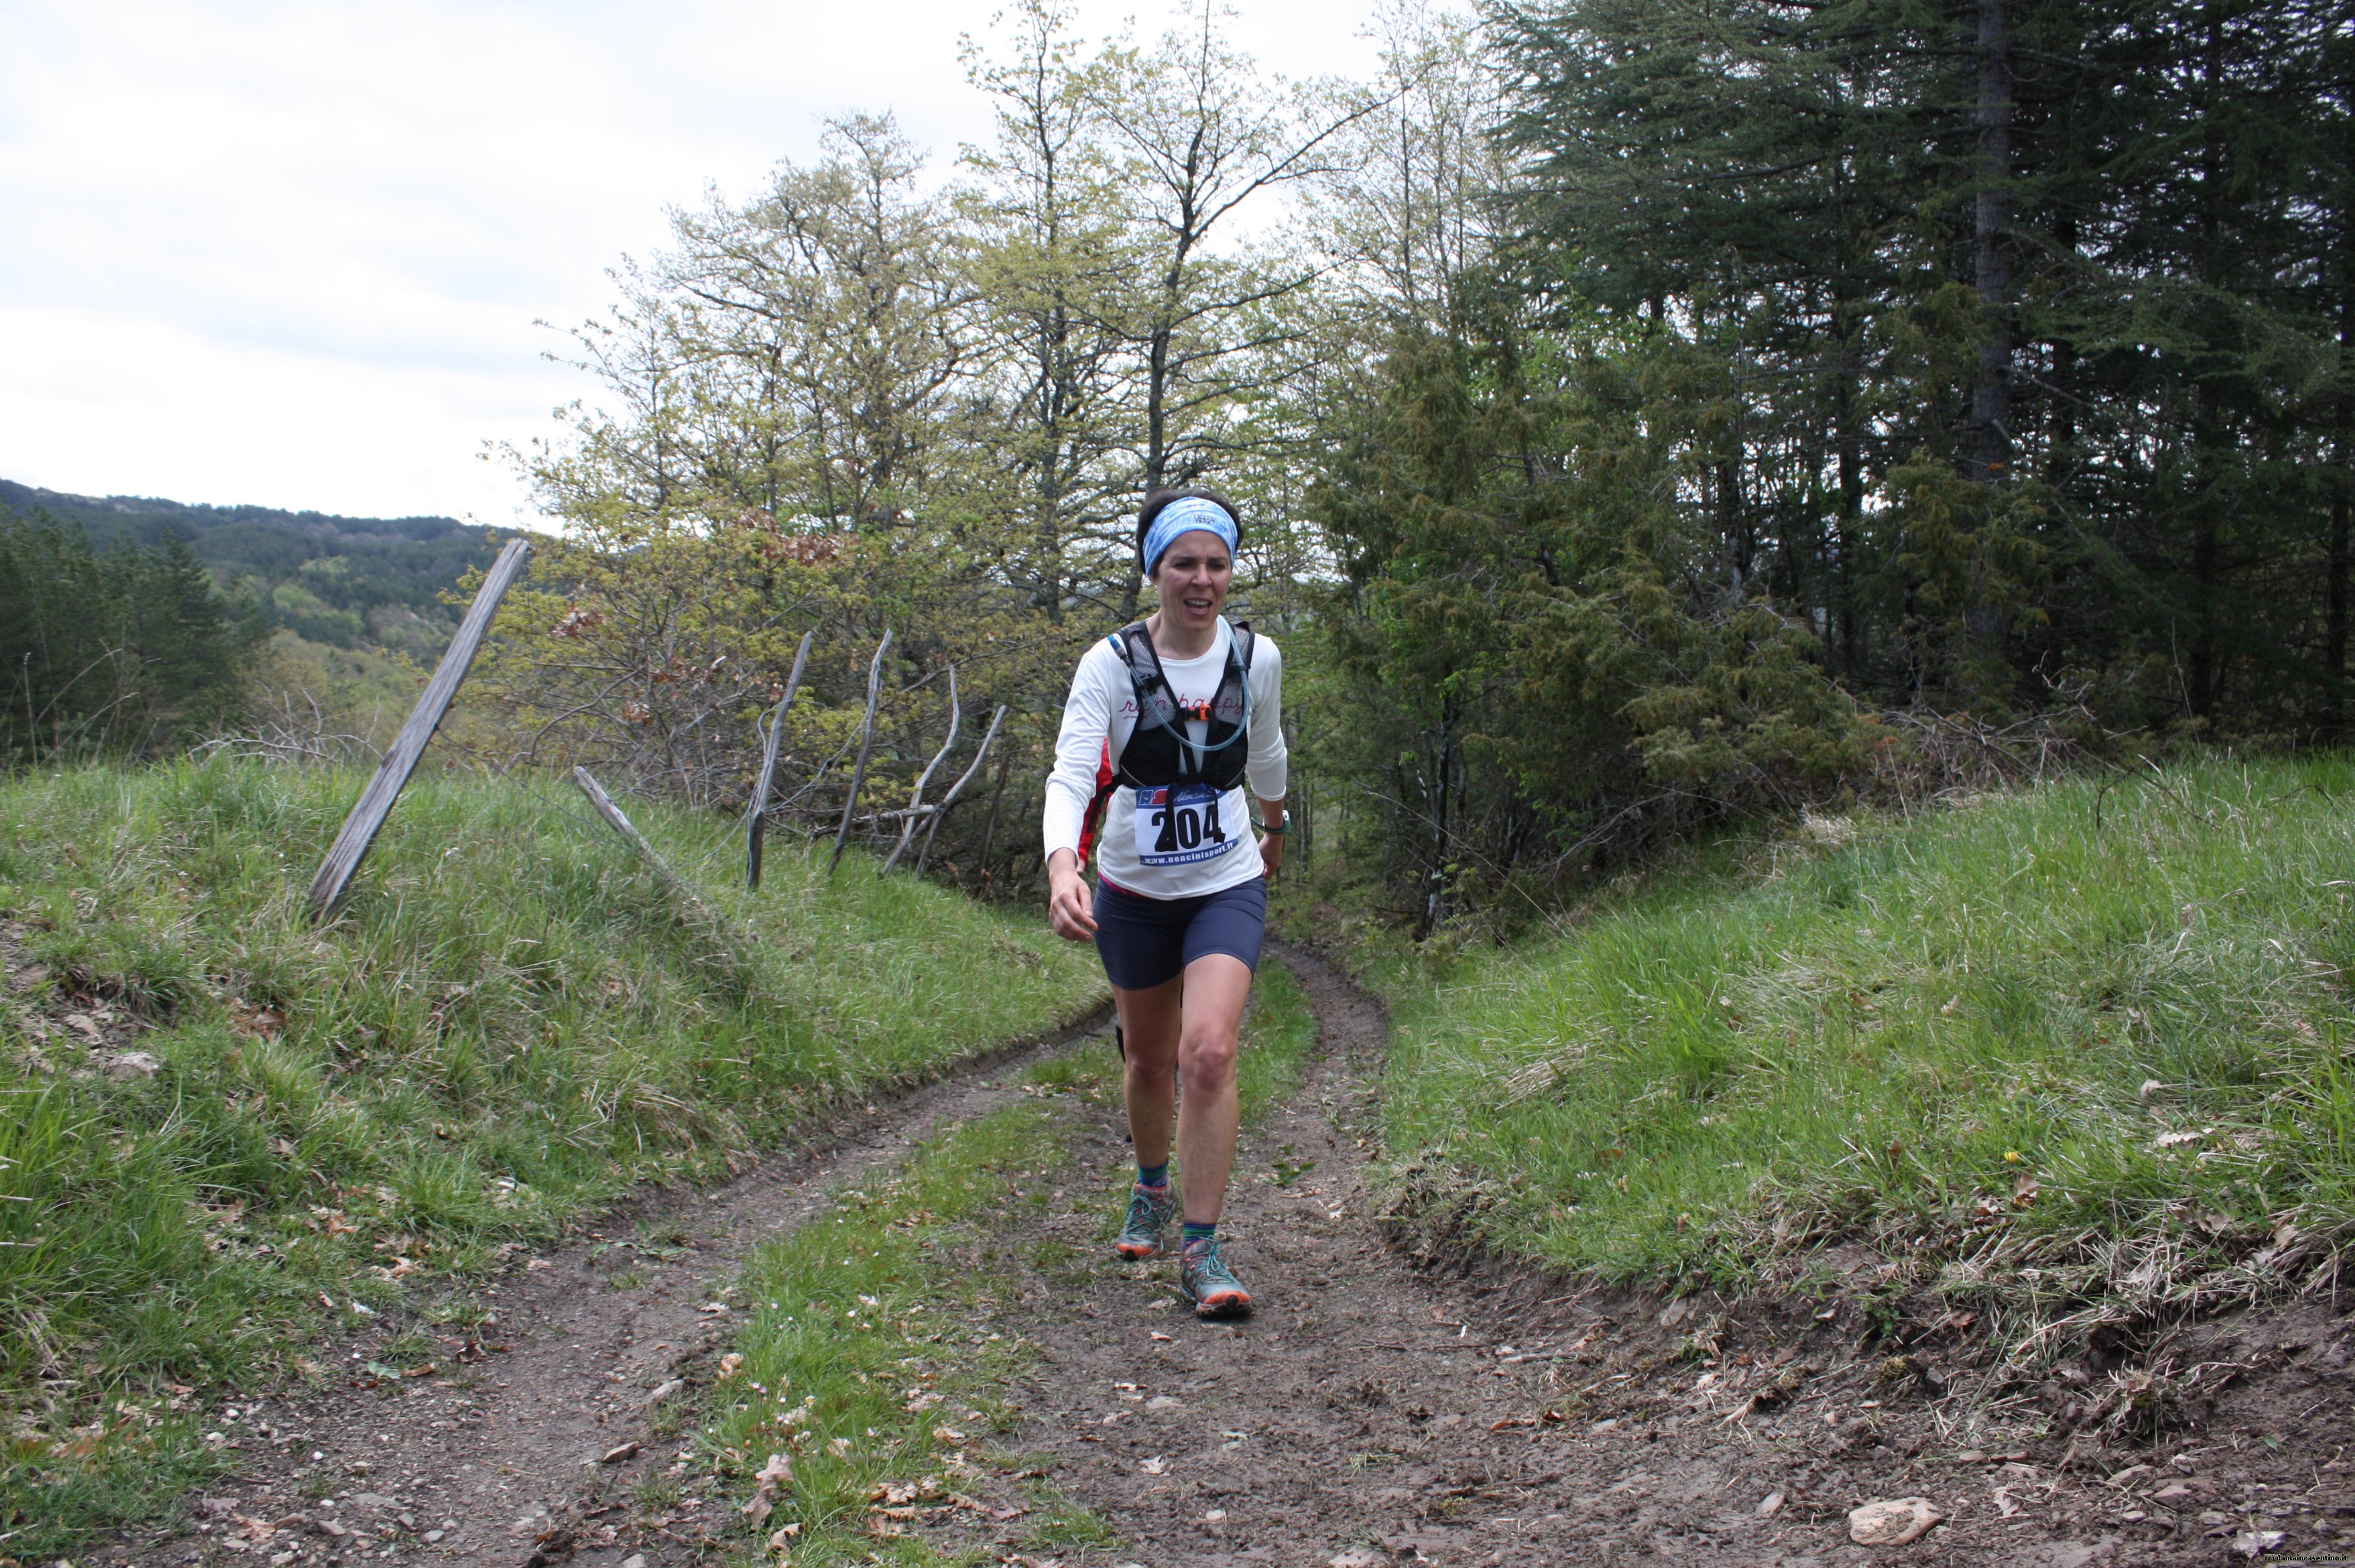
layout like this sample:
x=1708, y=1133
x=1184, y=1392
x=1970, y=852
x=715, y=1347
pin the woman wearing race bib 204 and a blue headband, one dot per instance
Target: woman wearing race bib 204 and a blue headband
x=1165, y=724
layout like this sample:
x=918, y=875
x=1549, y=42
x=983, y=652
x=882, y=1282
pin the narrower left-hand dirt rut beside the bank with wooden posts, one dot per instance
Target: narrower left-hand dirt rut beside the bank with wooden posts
x=500, y=1456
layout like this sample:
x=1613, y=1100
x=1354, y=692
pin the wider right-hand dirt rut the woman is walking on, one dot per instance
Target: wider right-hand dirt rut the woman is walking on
x=1372, y=1414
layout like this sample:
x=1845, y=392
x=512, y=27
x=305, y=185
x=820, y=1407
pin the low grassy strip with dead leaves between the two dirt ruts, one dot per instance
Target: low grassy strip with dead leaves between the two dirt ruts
x=870, y=1364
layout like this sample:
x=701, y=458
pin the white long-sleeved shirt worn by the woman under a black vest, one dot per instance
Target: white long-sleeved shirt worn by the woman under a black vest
x=1103, y=705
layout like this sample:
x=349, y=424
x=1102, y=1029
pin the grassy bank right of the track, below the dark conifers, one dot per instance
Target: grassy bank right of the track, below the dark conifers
x=2085, y=1042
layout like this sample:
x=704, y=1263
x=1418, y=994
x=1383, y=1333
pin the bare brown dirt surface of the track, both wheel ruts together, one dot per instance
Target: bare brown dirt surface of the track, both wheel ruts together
x=1369, y=1414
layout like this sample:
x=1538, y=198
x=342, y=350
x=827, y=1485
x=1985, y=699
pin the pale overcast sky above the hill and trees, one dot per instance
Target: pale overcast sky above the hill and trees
x=293, y=253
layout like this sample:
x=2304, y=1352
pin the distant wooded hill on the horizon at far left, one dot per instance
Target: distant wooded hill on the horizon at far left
x=333, y=580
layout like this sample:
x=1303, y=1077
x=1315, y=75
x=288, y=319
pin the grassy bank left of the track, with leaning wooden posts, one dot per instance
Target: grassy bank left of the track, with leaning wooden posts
x=508, y=1025
